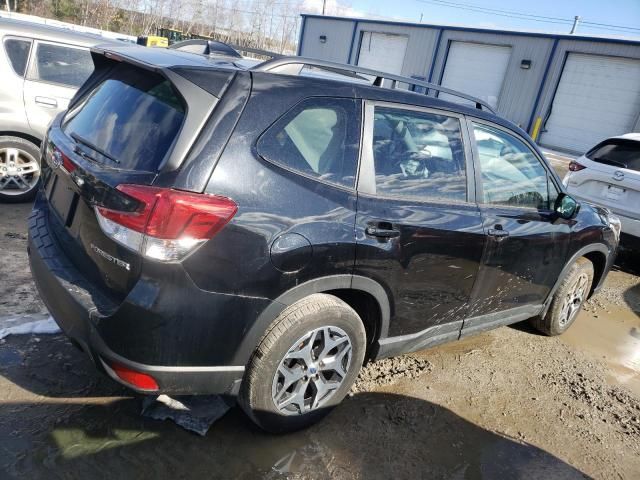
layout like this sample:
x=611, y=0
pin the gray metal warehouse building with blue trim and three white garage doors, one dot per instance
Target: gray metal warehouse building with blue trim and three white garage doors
x=567, y=91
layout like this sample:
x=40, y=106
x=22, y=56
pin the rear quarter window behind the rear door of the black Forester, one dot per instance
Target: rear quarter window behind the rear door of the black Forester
x=319, y=137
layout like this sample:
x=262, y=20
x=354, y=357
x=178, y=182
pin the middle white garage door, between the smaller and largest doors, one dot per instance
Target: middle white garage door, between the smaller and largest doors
x=476, y=69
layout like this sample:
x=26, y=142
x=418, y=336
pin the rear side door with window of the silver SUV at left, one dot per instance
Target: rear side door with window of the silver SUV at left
x=55, y=72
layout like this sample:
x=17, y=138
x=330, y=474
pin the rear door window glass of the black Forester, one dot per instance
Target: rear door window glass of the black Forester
x=418, y=155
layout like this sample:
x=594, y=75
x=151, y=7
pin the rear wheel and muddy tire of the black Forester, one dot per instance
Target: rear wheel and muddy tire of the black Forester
x=304, y=365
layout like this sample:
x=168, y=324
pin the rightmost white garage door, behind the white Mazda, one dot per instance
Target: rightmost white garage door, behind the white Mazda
x=597, y=97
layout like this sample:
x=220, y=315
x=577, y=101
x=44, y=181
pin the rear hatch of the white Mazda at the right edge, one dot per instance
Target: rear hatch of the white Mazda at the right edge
x=612, y=177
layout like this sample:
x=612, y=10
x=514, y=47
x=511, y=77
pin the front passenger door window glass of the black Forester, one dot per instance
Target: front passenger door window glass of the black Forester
x=511, y=173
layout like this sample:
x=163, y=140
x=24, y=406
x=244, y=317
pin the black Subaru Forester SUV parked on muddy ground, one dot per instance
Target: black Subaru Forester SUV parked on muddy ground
x=205, y=227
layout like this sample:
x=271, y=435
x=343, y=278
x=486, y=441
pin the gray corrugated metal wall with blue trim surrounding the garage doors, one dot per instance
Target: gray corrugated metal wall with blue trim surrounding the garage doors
x=526, y=93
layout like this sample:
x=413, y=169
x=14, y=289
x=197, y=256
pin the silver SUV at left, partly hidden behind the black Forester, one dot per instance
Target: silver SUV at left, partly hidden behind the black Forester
x=41, y=68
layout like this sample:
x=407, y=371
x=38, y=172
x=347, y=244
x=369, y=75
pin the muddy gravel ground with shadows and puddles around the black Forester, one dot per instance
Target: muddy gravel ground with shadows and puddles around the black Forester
x=505, y=404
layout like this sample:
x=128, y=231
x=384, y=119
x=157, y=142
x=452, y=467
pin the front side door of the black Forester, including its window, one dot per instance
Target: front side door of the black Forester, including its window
x=527, y=242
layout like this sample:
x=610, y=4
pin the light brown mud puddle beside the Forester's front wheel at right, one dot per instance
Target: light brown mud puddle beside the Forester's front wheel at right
x=615, y=341
